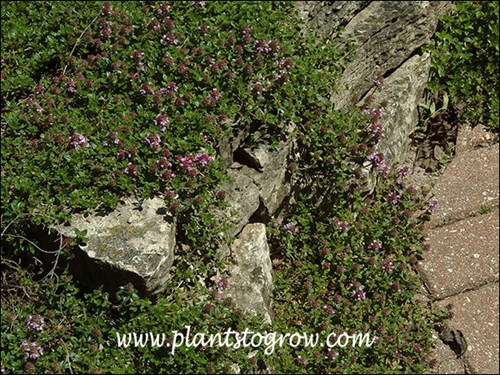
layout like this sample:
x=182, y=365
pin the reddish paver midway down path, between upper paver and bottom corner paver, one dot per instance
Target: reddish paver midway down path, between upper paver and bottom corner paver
x=462, y=255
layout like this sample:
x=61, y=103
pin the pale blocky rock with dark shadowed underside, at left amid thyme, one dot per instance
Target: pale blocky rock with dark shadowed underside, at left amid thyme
x=134, y=243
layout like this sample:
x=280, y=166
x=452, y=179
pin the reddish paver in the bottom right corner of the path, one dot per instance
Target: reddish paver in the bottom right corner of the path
x=476, y=315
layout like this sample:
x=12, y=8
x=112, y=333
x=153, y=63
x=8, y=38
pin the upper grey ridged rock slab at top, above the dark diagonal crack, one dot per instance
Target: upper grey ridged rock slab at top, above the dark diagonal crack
x=387, y=34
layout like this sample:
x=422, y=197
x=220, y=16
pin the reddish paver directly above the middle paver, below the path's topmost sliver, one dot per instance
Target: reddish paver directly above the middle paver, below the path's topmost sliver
x=468, y=183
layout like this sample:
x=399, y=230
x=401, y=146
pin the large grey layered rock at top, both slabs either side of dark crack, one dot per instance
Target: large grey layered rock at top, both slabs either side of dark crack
x=388, y=36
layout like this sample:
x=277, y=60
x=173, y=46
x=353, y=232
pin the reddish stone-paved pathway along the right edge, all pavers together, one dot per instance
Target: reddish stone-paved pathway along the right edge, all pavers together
x=461, y=268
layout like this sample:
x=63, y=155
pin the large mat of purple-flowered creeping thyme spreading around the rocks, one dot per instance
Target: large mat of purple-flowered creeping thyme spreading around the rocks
x=104, y=100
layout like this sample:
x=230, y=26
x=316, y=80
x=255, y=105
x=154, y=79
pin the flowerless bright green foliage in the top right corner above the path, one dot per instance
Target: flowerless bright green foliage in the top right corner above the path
x=465, y=57
